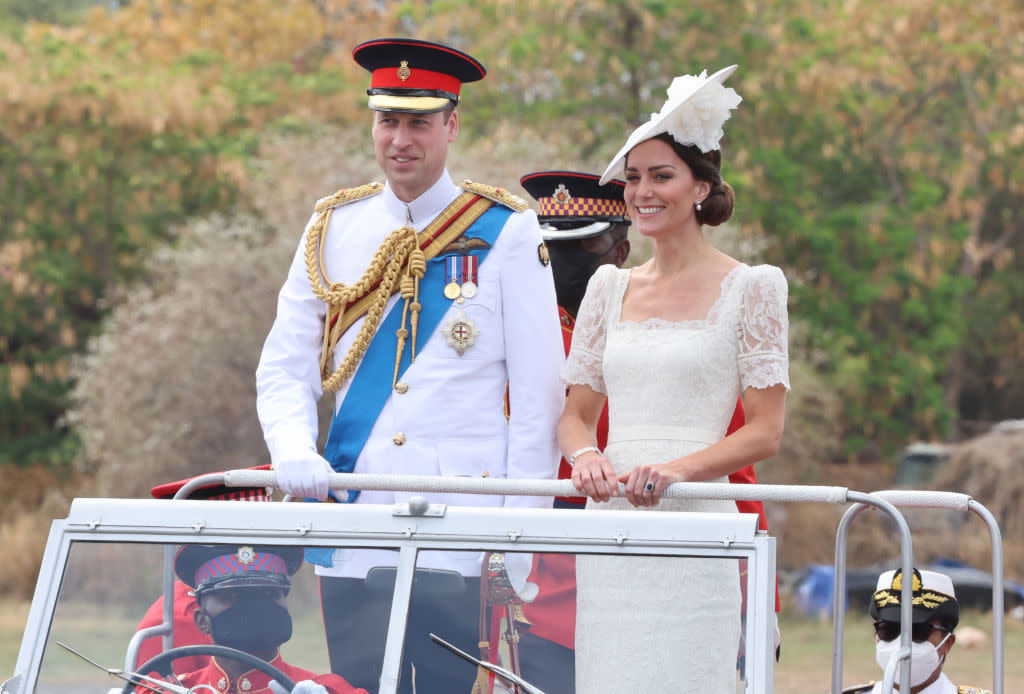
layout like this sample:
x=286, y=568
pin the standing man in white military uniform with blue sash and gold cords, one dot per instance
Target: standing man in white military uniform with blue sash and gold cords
x=417, y=301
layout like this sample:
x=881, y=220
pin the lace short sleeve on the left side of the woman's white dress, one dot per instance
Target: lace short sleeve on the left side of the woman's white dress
x=584, y=365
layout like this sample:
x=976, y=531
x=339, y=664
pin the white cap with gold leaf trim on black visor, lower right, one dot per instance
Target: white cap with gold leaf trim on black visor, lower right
x=934, y=599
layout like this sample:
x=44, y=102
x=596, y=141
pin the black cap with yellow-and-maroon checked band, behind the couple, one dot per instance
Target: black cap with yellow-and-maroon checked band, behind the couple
x=573, y=205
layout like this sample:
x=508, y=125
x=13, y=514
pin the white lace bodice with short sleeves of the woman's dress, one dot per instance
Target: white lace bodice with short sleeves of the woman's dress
x=681, y=379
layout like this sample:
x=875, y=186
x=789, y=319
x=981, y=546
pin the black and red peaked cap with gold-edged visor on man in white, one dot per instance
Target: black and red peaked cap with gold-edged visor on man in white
x=415, y=77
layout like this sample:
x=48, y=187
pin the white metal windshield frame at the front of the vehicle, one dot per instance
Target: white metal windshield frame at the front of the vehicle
x=425, y=528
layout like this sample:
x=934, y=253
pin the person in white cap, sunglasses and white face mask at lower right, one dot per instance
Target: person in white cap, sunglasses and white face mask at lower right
x=934, y=617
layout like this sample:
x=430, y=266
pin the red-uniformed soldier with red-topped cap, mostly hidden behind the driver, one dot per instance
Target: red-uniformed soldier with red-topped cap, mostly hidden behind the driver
x=185, y=632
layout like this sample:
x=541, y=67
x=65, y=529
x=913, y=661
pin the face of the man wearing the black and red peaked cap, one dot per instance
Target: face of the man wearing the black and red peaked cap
x=411, y=149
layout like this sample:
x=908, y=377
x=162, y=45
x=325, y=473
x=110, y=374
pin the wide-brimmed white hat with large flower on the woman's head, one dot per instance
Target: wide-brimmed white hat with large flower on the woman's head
x=697, y=109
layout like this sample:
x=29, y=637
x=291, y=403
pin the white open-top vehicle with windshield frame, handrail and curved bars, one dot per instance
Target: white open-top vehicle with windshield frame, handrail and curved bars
x=139, y=538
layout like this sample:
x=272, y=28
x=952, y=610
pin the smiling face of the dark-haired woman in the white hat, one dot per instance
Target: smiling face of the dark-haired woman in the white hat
x=661, y=190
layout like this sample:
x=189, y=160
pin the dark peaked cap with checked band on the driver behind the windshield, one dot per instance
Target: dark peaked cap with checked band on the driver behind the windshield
x=208, y=568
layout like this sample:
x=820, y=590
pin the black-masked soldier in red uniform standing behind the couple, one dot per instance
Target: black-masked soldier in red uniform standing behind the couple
x=585, y=226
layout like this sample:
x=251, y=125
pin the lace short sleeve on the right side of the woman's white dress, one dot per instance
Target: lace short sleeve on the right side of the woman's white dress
x=764, y=330
